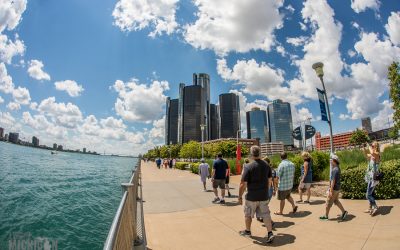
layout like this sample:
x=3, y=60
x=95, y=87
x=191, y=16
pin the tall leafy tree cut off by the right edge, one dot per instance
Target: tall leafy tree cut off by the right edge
x=394, y=92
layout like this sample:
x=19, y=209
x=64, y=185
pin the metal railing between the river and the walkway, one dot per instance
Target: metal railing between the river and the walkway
x=127, y=229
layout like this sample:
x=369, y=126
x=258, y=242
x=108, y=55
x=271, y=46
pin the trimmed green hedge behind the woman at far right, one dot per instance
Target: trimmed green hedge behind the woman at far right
x=354, y=186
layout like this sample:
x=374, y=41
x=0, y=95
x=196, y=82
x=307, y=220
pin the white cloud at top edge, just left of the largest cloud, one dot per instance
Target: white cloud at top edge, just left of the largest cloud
x=133, y=15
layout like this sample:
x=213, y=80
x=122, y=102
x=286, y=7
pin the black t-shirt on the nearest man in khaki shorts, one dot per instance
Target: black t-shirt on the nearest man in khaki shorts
x=256, y=175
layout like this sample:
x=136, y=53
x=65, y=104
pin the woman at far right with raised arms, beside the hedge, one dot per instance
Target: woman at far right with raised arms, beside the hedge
x=373, y=167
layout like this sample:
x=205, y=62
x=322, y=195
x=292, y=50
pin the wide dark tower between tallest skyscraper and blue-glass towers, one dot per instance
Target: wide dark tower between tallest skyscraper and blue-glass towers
x=229, y=111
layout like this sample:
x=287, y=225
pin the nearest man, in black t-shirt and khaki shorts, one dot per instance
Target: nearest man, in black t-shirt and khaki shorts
x=257, y=178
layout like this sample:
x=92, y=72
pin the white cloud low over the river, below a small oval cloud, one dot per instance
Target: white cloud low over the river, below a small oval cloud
x=66, y=115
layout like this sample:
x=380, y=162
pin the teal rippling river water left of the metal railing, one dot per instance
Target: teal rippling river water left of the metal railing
x=67, y=199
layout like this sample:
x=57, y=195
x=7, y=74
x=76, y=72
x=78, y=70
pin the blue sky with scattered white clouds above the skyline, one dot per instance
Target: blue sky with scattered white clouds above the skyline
x=96, y=74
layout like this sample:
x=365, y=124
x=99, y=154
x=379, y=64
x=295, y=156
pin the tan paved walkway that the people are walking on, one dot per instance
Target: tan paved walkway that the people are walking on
x=179, y=215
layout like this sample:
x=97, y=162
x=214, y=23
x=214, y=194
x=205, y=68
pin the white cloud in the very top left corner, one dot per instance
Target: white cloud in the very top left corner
x=10, y=13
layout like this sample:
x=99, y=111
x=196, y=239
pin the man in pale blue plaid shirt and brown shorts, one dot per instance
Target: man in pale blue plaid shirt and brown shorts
x=285, y=175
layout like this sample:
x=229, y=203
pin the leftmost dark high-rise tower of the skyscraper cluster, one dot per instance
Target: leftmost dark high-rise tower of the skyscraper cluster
x=171, y=121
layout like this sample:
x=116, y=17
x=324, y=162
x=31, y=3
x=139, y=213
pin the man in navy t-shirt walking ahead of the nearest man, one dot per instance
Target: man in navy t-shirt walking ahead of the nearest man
x=218, y=176
